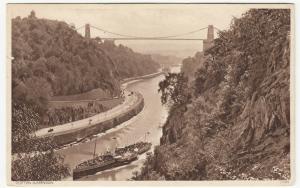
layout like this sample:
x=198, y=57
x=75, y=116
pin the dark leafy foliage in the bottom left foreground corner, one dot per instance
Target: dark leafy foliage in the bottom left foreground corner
x=42, y=166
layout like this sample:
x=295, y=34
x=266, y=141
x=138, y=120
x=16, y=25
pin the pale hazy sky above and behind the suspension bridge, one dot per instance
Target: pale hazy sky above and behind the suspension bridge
x=142, y=20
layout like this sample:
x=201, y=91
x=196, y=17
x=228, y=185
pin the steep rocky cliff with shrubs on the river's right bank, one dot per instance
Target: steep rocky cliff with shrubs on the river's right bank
x=238, y=123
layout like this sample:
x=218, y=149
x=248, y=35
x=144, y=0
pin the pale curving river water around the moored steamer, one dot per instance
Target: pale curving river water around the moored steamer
x=146, y=126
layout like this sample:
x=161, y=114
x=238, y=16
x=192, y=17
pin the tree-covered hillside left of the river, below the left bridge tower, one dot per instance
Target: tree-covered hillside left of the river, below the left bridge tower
x=50, y=58
